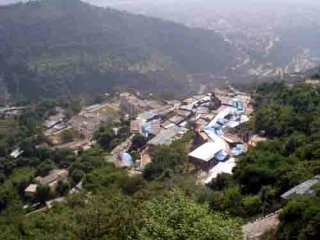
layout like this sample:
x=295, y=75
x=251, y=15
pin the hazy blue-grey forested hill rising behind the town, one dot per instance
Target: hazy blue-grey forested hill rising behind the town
x=66, y=47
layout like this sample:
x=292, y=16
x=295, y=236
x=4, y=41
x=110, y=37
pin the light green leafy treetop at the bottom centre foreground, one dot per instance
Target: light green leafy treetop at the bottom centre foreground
x=176, y=217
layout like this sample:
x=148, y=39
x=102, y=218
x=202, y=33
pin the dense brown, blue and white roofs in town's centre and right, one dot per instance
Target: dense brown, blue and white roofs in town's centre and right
x=214, y=117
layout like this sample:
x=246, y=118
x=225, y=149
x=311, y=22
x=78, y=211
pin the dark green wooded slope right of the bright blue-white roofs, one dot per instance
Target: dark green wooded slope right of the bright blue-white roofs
x=290, y=118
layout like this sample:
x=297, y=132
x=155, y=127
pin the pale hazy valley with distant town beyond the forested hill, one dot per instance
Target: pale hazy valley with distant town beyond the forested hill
x=272, y=39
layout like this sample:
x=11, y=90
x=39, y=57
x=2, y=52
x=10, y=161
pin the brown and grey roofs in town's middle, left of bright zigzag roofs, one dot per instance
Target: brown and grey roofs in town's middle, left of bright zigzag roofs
x=160, y=122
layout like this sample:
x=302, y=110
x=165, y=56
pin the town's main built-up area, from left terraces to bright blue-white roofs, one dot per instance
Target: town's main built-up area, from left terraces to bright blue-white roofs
x=215, y=119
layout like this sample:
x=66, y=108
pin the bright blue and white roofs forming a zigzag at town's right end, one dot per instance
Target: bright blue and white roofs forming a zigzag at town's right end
x=218, y=142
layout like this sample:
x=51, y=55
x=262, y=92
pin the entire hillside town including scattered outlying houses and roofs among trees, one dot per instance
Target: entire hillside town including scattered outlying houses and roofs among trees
x=217, y=123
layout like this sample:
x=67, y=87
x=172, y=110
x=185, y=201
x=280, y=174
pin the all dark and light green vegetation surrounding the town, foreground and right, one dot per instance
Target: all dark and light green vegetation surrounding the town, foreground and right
x=165, y=202
